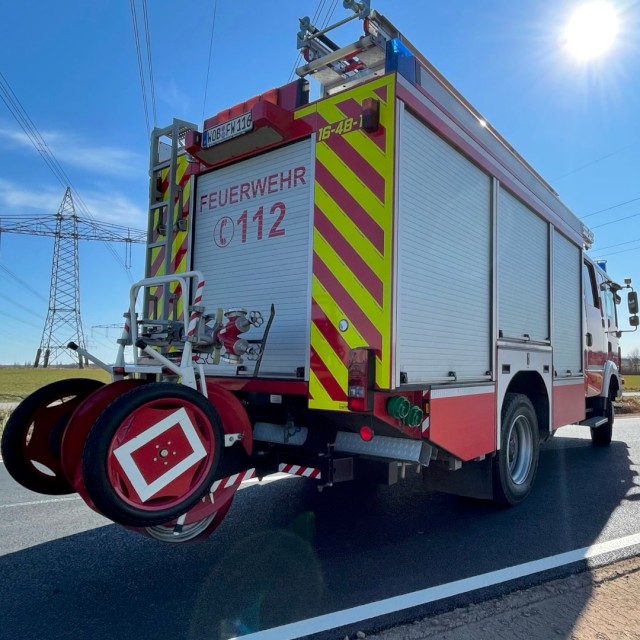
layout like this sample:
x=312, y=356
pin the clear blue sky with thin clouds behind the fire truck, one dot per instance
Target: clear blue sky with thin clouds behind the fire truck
x=73, y=66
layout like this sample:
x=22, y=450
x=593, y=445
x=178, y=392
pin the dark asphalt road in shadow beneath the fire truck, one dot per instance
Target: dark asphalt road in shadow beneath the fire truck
x=286, y=552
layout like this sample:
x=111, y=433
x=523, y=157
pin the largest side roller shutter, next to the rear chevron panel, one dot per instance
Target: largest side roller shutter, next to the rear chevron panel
x=444, y=259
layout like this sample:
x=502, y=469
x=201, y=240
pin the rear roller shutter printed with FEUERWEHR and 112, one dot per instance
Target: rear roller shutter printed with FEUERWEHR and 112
x=252, y=242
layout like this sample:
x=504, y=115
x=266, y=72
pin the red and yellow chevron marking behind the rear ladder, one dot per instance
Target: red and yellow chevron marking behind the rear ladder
x=179, y=244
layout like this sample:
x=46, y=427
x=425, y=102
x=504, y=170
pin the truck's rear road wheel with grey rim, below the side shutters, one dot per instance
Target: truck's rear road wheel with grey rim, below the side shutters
x=516, y=463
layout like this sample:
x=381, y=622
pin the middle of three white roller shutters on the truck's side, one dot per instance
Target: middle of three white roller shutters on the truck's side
x=523, y=271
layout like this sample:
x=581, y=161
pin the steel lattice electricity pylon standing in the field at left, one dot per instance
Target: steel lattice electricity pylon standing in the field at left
x=63, y=323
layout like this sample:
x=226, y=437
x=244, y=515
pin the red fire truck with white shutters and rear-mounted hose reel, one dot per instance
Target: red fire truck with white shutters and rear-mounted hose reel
x=349, y=288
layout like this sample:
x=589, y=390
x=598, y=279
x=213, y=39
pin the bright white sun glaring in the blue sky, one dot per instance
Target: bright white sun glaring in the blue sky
x=592, y=30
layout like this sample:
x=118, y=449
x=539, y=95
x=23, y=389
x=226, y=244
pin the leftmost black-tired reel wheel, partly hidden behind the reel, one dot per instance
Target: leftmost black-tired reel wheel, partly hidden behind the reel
x=33, y=433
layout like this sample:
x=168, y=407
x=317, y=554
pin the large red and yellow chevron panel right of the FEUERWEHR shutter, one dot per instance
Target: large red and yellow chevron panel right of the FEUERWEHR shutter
x=352, y=239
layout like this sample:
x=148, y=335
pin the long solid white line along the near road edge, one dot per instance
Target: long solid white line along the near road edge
x=432, y=594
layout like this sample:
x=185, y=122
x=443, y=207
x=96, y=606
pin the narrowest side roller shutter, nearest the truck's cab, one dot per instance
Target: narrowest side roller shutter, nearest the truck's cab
x=567, y=301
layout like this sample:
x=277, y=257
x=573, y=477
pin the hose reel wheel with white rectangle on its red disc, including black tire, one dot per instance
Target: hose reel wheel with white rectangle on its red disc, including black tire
x=125, y=453
